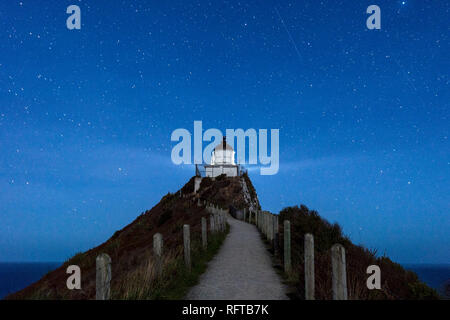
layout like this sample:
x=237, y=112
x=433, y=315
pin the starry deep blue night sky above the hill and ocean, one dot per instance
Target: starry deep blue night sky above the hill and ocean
x=86, y=115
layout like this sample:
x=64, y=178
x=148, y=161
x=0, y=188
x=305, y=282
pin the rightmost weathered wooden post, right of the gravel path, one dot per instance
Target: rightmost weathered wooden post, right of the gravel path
x=339, y=277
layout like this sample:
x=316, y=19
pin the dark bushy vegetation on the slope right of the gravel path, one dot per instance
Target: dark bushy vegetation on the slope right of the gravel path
x=396, y=282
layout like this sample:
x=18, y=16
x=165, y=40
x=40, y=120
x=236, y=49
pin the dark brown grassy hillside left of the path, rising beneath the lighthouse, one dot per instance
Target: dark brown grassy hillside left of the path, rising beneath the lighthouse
x=131, y=248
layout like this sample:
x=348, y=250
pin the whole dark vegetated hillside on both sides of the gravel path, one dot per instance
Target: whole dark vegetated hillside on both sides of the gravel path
x=133, y=275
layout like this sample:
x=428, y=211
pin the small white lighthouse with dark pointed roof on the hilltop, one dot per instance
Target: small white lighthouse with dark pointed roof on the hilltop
x=222, y=161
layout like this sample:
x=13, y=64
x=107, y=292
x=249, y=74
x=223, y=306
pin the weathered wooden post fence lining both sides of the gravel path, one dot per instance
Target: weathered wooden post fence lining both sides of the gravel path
x=268, y=224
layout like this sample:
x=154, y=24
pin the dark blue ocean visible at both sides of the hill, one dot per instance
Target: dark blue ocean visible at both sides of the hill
x=16, y=276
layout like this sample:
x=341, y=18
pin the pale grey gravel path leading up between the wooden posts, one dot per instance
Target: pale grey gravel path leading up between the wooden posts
x=241, y=270
